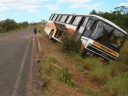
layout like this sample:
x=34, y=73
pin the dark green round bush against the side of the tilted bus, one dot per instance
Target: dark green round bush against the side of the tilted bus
x=70, y=43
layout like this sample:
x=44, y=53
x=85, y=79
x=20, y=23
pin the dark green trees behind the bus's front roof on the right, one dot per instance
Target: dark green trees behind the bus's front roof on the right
x=118, y=16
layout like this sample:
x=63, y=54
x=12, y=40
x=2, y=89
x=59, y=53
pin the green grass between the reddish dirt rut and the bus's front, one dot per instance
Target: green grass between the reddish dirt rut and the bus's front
x=112, y=76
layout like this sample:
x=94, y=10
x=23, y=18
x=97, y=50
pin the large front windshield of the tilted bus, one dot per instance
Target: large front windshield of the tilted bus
x=108, y=35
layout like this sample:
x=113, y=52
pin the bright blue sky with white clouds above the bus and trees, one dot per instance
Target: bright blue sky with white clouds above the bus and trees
x=37, y=10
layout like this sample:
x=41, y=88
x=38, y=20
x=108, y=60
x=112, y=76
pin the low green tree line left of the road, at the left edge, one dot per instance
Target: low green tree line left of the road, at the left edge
x=9, y=24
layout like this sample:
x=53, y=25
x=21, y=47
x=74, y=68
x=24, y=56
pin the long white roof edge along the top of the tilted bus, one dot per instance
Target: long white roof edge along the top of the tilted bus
x=101, y=18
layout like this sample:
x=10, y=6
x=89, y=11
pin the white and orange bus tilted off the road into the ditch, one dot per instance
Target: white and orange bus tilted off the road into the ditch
x=98, y=35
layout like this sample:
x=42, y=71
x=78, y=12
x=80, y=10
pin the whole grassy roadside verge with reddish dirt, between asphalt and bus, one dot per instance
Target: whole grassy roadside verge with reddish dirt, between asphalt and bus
x=67, y=74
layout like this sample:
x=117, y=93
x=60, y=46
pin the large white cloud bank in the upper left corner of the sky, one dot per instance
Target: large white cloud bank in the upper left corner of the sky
x=27, y=5
